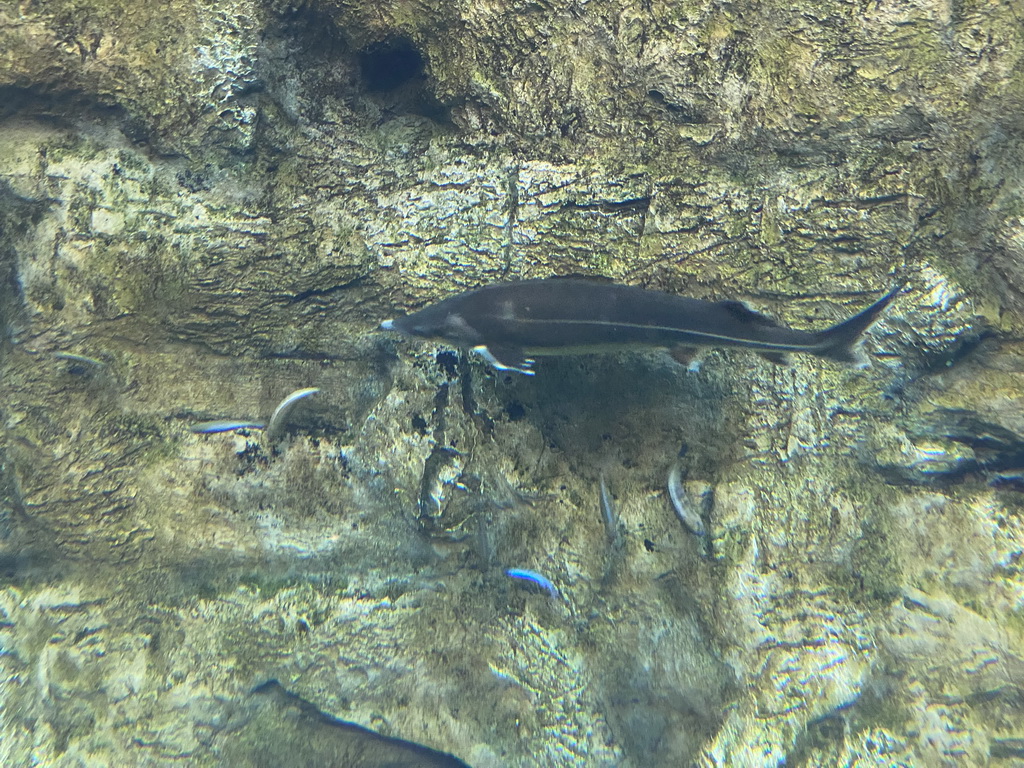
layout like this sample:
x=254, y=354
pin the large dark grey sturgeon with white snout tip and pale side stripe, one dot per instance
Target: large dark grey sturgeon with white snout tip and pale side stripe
x=509, y=323
